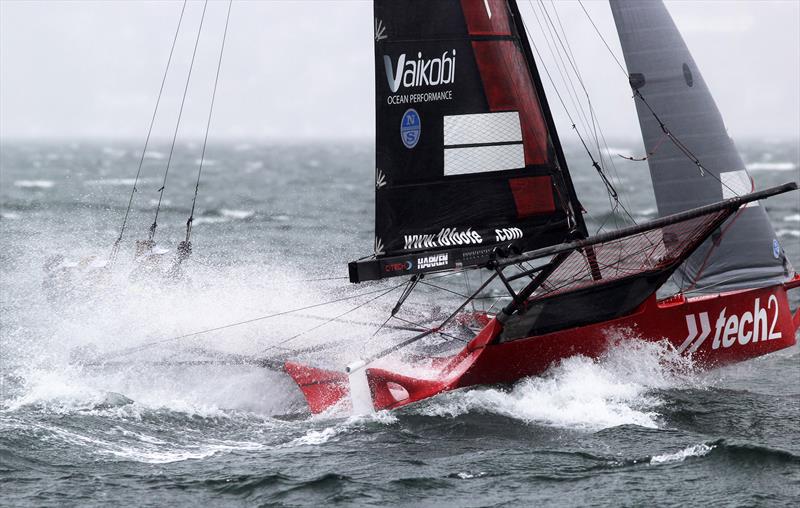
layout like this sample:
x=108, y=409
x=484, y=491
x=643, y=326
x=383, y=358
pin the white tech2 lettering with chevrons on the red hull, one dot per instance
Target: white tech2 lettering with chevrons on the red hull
x=728, y=330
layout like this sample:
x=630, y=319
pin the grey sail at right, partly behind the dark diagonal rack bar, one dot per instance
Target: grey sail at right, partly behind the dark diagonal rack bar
x=745, y=251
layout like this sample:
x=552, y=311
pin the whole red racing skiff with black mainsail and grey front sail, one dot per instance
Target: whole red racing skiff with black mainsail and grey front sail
x=470, y=174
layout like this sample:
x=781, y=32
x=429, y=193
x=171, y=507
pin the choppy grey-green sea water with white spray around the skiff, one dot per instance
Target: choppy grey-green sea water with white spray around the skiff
x=274, y=228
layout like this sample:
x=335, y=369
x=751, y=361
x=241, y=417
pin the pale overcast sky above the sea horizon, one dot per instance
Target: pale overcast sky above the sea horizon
x=304, y=68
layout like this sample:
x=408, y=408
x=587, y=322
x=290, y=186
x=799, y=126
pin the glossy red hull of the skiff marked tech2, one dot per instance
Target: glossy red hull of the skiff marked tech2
x=714, y=330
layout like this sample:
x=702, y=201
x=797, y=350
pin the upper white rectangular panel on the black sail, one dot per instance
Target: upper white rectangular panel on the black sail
x=482, y=128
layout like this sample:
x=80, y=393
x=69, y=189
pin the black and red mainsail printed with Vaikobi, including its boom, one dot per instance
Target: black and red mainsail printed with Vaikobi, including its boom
x=467, y=157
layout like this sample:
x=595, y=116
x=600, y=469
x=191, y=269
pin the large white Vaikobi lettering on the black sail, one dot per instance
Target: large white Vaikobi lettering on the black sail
x=410, y=73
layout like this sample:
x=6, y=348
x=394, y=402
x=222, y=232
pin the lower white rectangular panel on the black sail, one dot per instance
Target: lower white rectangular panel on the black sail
x=483, y=159
